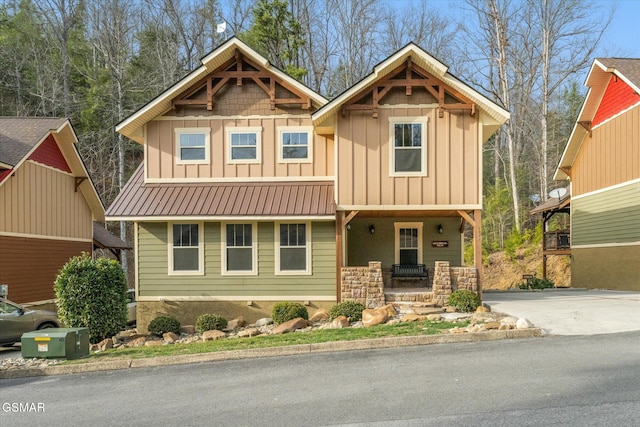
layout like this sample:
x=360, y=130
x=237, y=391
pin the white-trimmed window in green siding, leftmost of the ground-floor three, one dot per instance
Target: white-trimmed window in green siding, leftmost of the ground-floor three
x=186, y=252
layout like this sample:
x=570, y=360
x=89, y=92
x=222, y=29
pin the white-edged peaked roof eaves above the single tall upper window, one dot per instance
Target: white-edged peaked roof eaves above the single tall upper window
x=494, y=115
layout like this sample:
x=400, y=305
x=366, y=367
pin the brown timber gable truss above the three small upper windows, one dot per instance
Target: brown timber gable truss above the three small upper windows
x=242, y=69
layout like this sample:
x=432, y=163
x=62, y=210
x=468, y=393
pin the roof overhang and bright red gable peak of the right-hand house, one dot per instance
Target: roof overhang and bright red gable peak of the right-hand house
x=614, y=86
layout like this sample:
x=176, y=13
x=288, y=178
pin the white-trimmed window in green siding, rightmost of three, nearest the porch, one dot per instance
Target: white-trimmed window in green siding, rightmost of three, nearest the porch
x=293, y=248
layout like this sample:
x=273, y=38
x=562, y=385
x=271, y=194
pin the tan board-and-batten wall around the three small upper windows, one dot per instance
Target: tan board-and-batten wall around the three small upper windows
x=161, y=150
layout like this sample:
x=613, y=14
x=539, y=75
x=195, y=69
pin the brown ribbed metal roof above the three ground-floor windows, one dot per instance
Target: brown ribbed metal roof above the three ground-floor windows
x=140, y=200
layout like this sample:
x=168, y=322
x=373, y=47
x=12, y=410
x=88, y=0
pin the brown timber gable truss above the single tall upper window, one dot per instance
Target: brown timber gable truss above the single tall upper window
x=409, y=76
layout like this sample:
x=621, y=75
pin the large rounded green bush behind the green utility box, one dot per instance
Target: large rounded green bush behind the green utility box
x=92, y=294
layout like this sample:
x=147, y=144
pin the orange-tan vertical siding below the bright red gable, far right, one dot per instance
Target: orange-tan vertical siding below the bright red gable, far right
x=610, y=156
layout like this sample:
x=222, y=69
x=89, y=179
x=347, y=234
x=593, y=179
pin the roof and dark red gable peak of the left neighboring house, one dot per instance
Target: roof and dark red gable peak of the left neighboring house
x=28, y=138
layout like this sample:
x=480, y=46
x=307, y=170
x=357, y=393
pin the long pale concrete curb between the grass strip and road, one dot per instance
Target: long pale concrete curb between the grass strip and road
x=327, y=347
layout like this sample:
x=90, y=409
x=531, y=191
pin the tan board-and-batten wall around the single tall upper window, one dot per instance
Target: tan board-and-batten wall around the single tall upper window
x=452, y=160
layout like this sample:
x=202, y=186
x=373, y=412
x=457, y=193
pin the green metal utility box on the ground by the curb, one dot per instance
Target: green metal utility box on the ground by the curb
x=56, y=343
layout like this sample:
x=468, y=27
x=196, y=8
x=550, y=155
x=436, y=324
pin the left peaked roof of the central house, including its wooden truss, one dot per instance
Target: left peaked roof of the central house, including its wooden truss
x=231, y=62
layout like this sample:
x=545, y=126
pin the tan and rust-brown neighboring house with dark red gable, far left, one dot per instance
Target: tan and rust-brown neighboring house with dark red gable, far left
x=47, y=205
